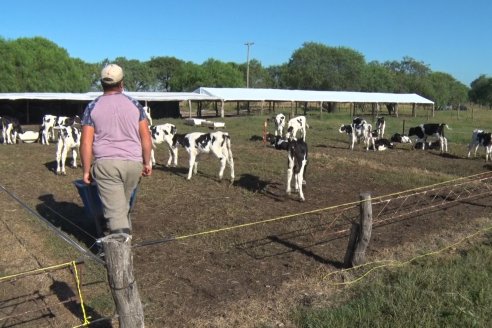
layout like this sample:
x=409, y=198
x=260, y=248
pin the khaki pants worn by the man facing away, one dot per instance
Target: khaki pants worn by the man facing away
x=116, y=180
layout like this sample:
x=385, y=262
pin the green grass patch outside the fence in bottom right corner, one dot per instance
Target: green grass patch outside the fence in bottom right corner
x=430, y=292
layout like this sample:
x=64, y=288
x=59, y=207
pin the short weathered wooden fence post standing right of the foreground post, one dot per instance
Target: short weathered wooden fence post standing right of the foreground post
x=360, y=233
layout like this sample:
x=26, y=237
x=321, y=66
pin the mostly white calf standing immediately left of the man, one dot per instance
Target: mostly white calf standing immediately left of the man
x=68, y=139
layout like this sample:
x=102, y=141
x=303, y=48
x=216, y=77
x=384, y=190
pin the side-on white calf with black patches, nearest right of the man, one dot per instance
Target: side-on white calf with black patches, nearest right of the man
x=217, y=143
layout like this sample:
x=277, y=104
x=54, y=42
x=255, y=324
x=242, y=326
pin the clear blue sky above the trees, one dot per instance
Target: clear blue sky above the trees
x=449, y=36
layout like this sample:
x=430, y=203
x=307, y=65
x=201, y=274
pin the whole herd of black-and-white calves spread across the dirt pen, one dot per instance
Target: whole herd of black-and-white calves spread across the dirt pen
x=289, y=135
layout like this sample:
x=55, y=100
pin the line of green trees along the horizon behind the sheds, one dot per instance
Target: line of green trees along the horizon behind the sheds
x=39, y=65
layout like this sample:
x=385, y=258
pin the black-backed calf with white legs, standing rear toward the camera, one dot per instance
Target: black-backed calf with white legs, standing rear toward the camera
x=297, y=161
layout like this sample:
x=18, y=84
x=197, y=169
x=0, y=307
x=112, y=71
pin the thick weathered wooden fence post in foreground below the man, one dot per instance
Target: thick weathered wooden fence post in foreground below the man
x=119, y=265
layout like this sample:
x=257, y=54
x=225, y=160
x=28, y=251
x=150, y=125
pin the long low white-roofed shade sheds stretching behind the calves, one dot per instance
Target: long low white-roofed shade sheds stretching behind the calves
x=29, y=108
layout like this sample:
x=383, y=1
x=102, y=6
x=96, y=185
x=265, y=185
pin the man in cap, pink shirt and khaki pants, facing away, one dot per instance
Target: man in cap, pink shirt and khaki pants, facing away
x=116, y=135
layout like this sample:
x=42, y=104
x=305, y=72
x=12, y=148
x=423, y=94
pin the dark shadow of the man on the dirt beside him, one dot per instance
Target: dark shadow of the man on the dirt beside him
x=70, y=218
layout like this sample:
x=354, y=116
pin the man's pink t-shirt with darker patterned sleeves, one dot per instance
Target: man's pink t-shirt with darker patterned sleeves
x=115, y=119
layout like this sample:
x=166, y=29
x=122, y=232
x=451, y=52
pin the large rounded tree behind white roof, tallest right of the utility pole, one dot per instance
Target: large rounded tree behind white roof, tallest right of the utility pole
x=318, y=67
